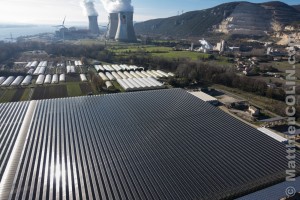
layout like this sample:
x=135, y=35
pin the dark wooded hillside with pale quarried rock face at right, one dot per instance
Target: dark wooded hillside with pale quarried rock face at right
x=229, y=18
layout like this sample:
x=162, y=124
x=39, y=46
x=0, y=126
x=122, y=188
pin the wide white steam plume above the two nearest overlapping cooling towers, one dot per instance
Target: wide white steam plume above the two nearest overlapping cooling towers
x=114, y=6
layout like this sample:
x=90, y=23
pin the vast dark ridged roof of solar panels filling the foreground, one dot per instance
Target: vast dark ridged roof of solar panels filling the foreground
x=162, y=144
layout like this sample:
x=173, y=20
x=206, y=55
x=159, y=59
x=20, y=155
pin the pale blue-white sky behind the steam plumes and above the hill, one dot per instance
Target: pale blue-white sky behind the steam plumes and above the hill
x=53, y=11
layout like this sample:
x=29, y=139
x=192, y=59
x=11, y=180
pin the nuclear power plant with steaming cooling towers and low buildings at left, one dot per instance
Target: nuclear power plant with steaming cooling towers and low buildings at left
x=120, y=26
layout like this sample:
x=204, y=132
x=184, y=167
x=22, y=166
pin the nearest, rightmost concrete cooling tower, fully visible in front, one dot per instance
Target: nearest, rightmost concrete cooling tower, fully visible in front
x=125, y=30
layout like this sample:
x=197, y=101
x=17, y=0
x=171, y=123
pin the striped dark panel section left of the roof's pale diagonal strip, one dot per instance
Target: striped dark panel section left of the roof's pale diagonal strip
x=11, y=118
